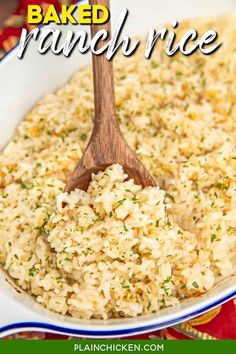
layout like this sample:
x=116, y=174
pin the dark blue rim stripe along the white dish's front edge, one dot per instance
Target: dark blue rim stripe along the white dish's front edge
x=96, y=333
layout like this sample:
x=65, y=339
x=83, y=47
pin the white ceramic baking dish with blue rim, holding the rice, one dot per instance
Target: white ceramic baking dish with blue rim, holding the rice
x=22, y=83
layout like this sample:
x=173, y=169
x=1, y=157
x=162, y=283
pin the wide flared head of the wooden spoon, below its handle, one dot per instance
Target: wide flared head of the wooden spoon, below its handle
x=104, y=150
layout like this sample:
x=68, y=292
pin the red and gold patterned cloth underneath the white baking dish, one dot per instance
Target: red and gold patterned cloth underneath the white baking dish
x=219, y=323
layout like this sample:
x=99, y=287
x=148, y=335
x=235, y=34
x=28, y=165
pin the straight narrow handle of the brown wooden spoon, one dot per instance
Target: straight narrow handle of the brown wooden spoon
x=104, y=95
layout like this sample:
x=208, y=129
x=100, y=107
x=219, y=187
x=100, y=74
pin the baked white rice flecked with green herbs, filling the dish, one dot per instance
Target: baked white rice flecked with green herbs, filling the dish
x=119, y=250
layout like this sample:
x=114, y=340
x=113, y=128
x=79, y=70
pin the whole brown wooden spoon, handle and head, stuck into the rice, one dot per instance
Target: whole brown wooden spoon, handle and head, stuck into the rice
x=107, y=144
